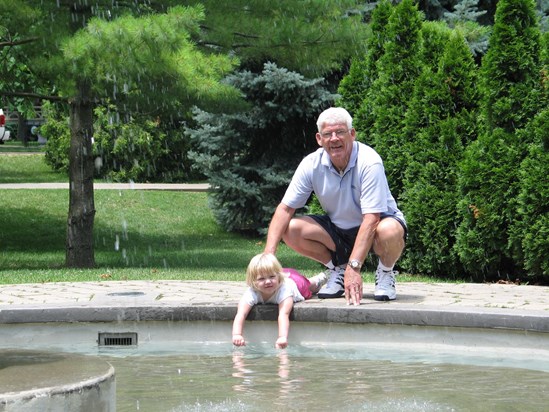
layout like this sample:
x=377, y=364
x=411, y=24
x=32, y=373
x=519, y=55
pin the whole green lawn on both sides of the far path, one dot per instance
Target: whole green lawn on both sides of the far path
x=138, y=234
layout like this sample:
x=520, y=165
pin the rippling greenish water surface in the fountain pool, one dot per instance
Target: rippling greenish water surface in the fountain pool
x=258, y=378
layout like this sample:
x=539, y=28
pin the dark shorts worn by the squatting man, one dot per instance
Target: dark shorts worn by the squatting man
x=344, y=239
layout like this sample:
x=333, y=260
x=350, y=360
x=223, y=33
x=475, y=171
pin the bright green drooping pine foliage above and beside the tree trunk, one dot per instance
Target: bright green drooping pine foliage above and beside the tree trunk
x=139, y=61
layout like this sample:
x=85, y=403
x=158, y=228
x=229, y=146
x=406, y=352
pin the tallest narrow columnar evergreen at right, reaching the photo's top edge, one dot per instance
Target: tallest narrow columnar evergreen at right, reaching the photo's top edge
x=489, y=178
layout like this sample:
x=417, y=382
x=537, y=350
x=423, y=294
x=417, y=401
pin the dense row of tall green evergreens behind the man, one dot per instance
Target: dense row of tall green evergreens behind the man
x=463, y=146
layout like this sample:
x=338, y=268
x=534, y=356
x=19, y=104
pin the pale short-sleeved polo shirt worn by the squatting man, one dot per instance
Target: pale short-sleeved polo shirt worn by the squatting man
x=362, y=188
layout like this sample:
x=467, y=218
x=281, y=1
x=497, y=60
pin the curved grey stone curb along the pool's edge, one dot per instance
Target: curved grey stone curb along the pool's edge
x=403, y=315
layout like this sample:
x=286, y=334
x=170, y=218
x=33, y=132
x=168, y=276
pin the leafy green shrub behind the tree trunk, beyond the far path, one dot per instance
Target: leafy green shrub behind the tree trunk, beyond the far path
x=139, y=150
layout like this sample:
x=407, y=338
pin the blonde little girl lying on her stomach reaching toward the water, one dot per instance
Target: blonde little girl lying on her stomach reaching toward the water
x=269, y=283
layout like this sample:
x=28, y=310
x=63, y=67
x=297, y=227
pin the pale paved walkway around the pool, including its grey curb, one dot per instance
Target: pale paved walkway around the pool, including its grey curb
x=435, y=304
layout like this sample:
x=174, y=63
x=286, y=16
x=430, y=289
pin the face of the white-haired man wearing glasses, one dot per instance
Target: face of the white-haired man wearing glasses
x=337, y=140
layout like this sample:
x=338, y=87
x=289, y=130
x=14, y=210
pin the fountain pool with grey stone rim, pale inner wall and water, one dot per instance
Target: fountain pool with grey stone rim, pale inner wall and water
x=175, y=356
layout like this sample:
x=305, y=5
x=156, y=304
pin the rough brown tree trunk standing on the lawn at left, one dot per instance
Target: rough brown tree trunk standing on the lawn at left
x=80, y=252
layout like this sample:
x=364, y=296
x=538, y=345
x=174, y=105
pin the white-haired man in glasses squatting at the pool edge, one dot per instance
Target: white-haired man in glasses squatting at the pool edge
x=349, y=180
